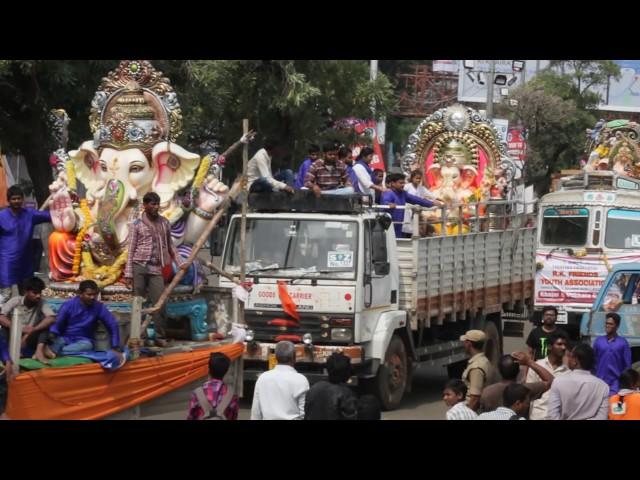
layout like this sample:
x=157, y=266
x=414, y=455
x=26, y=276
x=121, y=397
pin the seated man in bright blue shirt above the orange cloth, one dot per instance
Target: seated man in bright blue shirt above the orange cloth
x=77, y=320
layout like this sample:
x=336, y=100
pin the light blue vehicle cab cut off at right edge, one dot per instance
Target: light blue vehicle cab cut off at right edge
x=620, y=294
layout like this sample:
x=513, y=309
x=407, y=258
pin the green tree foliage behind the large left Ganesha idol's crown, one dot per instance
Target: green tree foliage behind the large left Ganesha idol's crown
x=293, y=101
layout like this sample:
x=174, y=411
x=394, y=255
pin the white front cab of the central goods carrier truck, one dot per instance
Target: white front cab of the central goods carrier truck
x=337, y=262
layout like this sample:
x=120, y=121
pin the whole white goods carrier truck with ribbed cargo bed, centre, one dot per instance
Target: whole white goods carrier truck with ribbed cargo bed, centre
x=389, y=303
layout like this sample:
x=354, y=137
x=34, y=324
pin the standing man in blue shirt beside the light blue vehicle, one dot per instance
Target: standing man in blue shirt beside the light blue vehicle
x=613, y=354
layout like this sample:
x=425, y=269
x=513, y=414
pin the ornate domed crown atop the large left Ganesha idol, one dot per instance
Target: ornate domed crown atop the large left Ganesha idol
x=135, y=107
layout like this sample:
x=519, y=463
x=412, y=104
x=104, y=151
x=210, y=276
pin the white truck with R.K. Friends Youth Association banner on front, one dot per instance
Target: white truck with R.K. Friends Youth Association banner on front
x=589, y=225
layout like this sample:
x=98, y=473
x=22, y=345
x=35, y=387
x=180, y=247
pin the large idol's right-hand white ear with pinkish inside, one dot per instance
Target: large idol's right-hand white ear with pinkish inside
x=174, y=169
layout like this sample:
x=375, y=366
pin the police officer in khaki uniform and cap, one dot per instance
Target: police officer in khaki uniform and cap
x=478, y=369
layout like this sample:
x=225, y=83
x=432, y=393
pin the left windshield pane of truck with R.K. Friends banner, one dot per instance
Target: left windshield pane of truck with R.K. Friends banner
x=565, y=226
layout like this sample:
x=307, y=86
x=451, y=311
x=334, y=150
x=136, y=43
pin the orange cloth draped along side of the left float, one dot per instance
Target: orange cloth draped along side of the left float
x=87, y=392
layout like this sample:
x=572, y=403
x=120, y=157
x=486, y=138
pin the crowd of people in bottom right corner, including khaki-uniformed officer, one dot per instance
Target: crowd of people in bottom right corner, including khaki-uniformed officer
x=554, y=380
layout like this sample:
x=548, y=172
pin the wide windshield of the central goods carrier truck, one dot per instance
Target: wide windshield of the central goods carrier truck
x=293, y=248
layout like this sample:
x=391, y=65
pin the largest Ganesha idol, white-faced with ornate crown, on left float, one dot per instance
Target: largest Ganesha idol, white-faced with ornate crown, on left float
x=136, y=119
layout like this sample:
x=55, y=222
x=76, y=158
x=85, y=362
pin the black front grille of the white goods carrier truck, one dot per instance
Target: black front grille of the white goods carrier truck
x=317, y=325
